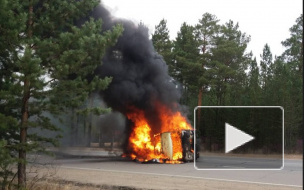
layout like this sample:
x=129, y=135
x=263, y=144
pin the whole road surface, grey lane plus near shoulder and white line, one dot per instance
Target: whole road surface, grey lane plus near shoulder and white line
x=125, y=171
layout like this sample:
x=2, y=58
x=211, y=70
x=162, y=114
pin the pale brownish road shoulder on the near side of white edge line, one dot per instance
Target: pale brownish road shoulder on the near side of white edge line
x=67, y=179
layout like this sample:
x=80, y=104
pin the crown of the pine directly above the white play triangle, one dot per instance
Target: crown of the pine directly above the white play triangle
x=228, y=62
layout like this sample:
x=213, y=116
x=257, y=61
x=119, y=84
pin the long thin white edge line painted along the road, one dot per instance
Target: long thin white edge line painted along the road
x=181, y=176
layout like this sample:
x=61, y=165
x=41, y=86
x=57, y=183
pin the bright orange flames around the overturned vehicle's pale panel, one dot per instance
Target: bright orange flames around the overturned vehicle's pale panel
x=146, y=146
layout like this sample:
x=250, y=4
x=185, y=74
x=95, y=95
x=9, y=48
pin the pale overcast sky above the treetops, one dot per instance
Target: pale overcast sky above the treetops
x=266, y=21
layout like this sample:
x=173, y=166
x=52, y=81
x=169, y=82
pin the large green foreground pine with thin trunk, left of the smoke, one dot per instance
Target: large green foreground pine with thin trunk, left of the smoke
x=49, y=60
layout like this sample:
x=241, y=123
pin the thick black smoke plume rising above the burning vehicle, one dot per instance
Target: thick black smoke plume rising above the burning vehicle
x=140, y=75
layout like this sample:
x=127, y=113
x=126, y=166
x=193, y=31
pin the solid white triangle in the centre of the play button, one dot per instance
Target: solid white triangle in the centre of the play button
x=235, y=138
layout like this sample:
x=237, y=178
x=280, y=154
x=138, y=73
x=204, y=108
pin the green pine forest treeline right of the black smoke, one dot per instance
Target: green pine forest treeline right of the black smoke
x=212, y=65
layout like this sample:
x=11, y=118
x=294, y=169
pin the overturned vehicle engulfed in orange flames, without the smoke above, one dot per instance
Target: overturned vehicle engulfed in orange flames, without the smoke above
x=173, y=141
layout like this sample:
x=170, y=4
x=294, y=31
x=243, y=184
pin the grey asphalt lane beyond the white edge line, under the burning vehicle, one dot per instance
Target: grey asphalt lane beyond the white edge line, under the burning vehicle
x=291, y=175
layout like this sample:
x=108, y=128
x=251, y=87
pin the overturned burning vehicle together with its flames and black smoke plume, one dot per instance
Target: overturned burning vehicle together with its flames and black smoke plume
x=143, y=91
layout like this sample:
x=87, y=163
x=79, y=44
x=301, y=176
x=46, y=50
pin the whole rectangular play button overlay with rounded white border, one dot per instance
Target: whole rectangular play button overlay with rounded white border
x=239, y=137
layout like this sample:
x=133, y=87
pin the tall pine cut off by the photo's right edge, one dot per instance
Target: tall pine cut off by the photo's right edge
x=292, y=58
